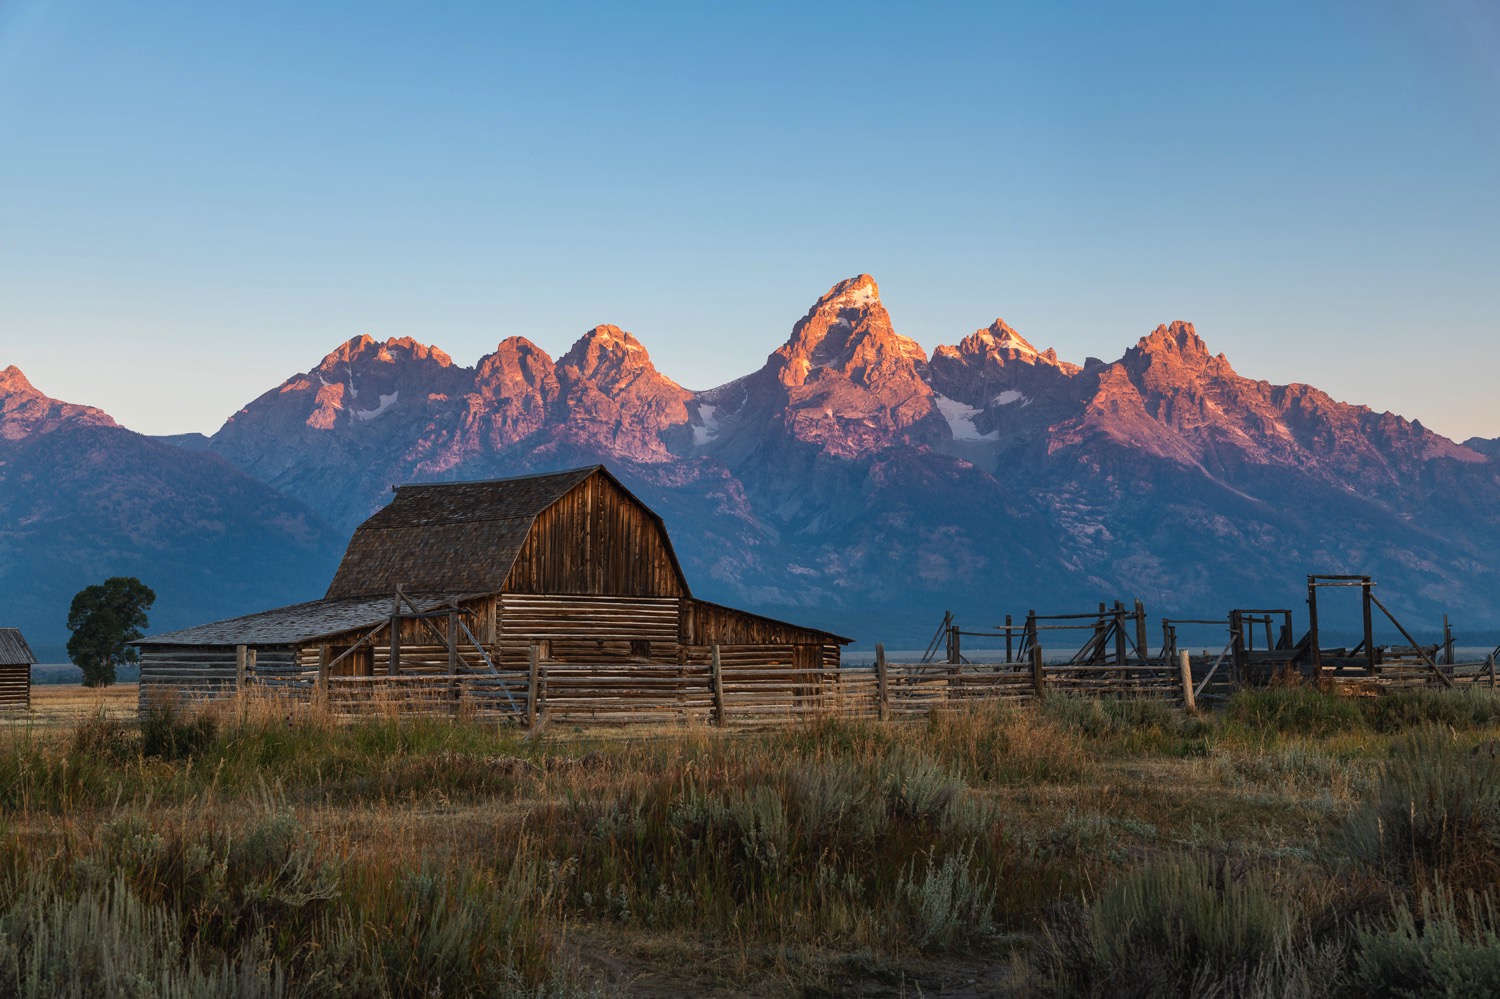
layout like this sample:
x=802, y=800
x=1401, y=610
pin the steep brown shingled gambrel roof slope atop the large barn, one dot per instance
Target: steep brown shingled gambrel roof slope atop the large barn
x=449, y=536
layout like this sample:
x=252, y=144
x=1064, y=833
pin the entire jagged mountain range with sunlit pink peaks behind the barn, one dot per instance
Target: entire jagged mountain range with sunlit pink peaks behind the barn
x=854, y=482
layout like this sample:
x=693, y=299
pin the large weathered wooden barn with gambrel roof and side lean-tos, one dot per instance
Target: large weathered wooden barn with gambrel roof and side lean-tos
x=470, y=578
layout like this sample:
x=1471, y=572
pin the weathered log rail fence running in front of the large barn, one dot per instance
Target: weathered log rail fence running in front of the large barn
x=715, y=694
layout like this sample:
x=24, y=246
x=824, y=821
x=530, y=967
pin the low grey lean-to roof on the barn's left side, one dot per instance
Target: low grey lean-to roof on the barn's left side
x=299, y=623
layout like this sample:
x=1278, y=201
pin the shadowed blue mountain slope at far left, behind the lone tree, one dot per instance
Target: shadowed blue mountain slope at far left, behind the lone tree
x=83, y=500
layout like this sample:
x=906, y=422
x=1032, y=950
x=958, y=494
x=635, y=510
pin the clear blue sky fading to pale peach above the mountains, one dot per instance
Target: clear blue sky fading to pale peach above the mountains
x=200, y=200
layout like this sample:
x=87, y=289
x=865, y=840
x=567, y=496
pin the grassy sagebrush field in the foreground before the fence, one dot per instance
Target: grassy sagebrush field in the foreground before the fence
x=1294, y=844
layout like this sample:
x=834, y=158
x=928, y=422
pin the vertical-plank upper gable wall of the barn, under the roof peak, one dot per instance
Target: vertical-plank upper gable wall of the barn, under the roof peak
x=596, y=541
